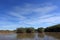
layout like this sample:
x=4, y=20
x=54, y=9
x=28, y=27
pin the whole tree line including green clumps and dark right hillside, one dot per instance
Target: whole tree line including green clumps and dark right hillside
x=55, y=28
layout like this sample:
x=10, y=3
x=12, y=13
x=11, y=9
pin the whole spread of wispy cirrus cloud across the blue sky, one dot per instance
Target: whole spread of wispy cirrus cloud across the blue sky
x=32, y=15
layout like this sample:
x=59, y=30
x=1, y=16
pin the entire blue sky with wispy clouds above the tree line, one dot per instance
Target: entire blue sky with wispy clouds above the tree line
x=29, y=13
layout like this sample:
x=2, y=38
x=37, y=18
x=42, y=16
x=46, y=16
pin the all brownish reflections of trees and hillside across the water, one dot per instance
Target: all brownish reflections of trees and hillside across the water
x=40, y=36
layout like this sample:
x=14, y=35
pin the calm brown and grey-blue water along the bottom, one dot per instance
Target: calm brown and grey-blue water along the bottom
x=32, y=36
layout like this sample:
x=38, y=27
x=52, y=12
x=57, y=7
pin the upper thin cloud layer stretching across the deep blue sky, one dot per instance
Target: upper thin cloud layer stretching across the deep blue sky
x=30, y=8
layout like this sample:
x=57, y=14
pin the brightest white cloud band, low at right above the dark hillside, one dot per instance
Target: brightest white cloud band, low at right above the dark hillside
x=52, y=20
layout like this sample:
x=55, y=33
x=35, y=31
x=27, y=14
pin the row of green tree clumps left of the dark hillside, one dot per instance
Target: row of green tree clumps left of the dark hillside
x=29, y=30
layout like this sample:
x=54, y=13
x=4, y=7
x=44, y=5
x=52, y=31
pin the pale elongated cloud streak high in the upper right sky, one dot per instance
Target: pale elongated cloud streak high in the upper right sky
x=45, y=9
